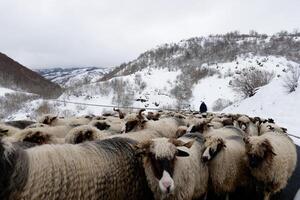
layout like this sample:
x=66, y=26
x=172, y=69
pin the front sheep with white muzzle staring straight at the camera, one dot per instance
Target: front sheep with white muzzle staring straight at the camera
x=174, y=169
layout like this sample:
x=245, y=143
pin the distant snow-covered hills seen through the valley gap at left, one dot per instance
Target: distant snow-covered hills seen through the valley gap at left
x=67, y=77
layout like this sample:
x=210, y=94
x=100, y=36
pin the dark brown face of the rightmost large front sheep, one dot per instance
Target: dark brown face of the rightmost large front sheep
x=258, y=151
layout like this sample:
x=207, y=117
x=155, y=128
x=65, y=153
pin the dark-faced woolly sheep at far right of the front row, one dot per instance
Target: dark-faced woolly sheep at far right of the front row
x=272, y=159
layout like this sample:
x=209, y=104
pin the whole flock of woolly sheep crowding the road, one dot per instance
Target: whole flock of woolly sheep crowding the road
x=154, y=155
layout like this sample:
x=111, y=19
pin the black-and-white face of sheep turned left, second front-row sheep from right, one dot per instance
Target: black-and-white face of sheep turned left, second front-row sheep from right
x=212, y=147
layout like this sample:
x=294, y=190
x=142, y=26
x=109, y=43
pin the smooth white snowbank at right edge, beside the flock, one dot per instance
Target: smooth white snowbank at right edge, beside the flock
x=273, y=101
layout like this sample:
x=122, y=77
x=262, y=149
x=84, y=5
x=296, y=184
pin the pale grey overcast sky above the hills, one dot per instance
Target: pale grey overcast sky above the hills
x=49, y=33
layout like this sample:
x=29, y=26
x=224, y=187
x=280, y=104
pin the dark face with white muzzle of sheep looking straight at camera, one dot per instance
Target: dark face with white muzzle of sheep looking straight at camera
x=161, y=155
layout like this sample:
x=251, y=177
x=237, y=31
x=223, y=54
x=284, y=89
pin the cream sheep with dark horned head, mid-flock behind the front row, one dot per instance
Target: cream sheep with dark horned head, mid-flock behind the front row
x=166, y=126
